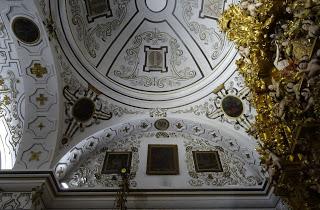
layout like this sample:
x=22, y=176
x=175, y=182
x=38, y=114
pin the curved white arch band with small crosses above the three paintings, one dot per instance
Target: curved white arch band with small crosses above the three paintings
x=236, y=143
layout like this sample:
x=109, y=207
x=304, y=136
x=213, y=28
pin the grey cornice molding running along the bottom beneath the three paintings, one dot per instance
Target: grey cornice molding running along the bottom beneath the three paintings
x=54, y=198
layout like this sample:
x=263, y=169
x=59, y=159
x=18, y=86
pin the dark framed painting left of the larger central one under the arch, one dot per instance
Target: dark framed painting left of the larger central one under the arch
x=115, y=161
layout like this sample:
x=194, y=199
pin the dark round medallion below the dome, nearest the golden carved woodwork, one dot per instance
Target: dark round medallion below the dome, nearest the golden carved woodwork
x=232, y=106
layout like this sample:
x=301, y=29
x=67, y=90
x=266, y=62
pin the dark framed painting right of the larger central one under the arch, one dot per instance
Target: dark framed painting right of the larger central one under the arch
x=207, y=161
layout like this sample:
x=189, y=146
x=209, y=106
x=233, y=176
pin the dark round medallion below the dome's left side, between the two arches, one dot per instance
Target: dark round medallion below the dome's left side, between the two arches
x=83, y=109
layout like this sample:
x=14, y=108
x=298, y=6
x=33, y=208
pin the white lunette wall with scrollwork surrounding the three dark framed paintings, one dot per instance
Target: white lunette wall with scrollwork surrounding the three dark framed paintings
x=85, y=171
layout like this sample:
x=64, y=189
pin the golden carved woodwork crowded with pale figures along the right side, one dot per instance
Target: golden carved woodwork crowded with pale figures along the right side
x=278, y=43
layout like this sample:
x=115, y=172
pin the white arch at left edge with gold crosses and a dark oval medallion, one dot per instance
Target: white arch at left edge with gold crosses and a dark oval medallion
x=34, y=76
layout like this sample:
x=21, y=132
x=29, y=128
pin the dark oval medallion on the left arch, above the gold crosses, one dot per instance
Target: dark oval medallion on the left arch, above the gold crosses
x=25, y=30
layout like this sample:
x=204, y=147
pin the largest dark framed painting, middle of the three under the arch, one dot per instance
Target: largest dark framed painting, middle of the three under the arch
x=162, y=159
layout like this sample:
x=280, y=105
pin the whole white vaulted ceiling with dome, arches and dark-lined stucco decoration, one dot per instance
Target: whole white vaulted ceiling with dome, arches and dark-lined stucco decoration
x=121, y=75
